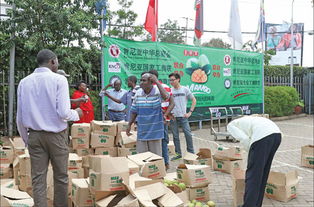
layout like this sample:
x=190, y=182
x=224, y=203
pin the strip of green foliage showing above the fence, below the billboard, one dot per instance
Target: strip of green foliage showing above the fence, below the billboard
x=278, y=70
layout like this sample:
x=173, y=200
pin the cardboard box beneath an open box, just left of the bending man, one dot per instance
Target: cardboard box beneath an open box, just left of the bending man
x=227, y=166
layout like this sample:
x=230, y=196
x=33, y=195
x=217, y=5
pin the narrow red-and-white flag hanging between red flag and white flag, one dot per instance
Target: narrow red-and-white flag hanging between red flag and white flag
x=198, y=29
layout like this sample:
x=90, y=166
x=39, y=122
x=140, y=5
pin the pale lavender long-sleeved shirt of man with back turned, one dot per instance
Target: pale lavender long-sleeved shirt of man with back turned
x=43, y=103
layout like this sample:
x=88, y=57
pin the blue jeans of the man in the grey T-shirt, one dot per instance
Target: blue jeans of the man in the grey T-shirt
x=181, y=121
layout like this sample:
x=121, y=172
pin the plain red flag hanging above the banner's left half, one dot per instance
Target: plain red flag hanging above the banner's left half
x=151, y=22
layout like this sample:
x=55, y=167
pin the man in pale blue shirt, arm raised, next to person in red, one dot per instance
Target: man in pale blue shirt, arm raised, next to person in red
x=117, y=111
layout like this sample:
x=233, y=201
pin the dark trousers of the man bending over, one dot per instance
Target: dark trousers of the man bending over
x=260, y=157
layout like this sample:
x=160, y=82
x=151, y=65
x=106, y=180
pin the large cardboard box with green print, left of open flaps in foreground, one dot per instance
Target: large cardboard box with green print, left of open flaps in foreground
x=107, y=173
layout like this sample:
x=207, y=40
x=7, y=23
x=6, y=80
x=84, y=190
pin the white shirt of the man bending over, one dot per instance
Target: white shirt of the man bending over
x=250, y=129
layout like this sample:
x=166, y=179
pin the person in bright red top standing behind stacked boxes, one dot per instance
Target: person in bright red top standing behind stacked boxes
x=87, y=106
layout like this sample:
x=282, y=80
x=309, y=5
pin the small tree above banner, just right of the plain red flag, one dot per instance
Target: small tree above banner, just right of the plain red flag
x=170, y=32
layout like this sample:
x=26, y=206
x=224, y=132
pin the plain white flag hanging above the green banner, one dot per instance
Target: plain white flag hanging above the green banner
x=234, y=26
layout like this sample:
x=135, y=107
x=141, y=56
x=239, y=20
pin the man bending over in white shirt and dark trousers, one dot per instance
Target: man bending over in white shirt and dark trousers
x=261, y=138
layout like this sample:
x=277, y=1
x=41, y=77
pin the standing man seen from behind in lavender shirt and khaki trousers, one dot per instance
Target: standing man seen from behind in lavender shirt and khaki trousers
x=43, y=109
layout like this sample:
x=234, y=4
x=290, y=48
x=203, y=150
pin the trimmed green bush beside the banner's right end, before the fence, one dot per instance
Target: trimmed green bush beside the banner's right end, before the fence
x=280, y=100
